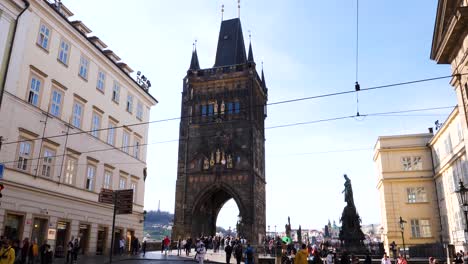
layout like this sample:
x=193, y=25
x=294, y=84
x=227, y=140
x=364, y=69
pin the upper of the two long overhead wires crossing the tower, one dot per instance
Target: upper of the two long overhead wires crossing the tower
x=242, y=108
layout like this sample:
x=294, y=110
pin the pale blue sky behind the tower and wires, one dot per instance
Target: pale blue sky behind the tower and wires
x=308, y=48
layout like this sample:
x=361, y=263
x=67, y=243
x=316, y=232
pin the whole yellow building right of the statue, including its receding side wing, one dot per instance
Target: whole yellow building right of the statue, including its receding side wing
x=417, y=179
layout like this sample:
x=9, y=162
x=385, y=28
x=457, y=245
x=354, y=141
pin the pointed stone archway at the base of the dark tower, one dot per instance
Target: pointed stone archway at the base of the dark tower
x=207, y=206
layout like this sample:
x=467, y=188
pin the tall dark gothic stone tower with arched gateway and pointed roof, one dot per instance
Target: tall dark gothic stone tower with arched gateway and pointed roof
x=222, y=141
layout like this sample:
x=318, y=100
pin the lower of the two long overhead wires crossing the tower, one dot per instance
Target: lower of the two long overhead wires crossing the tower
x=272, y=127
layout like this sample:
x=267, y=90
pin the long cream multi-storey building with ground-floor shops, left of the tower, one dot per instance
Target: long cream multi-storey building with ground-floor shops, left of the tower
x=67, y=121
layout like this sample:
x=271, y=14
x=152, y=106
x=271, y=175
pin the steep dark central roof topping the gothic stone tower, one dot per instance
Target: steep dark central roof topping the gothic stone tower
x=231, y=47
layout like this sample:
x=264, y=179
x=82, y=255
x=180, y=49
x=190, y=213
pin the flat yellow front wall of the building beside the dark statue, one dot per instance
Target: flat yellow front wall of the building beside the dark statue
x=406, y=188
